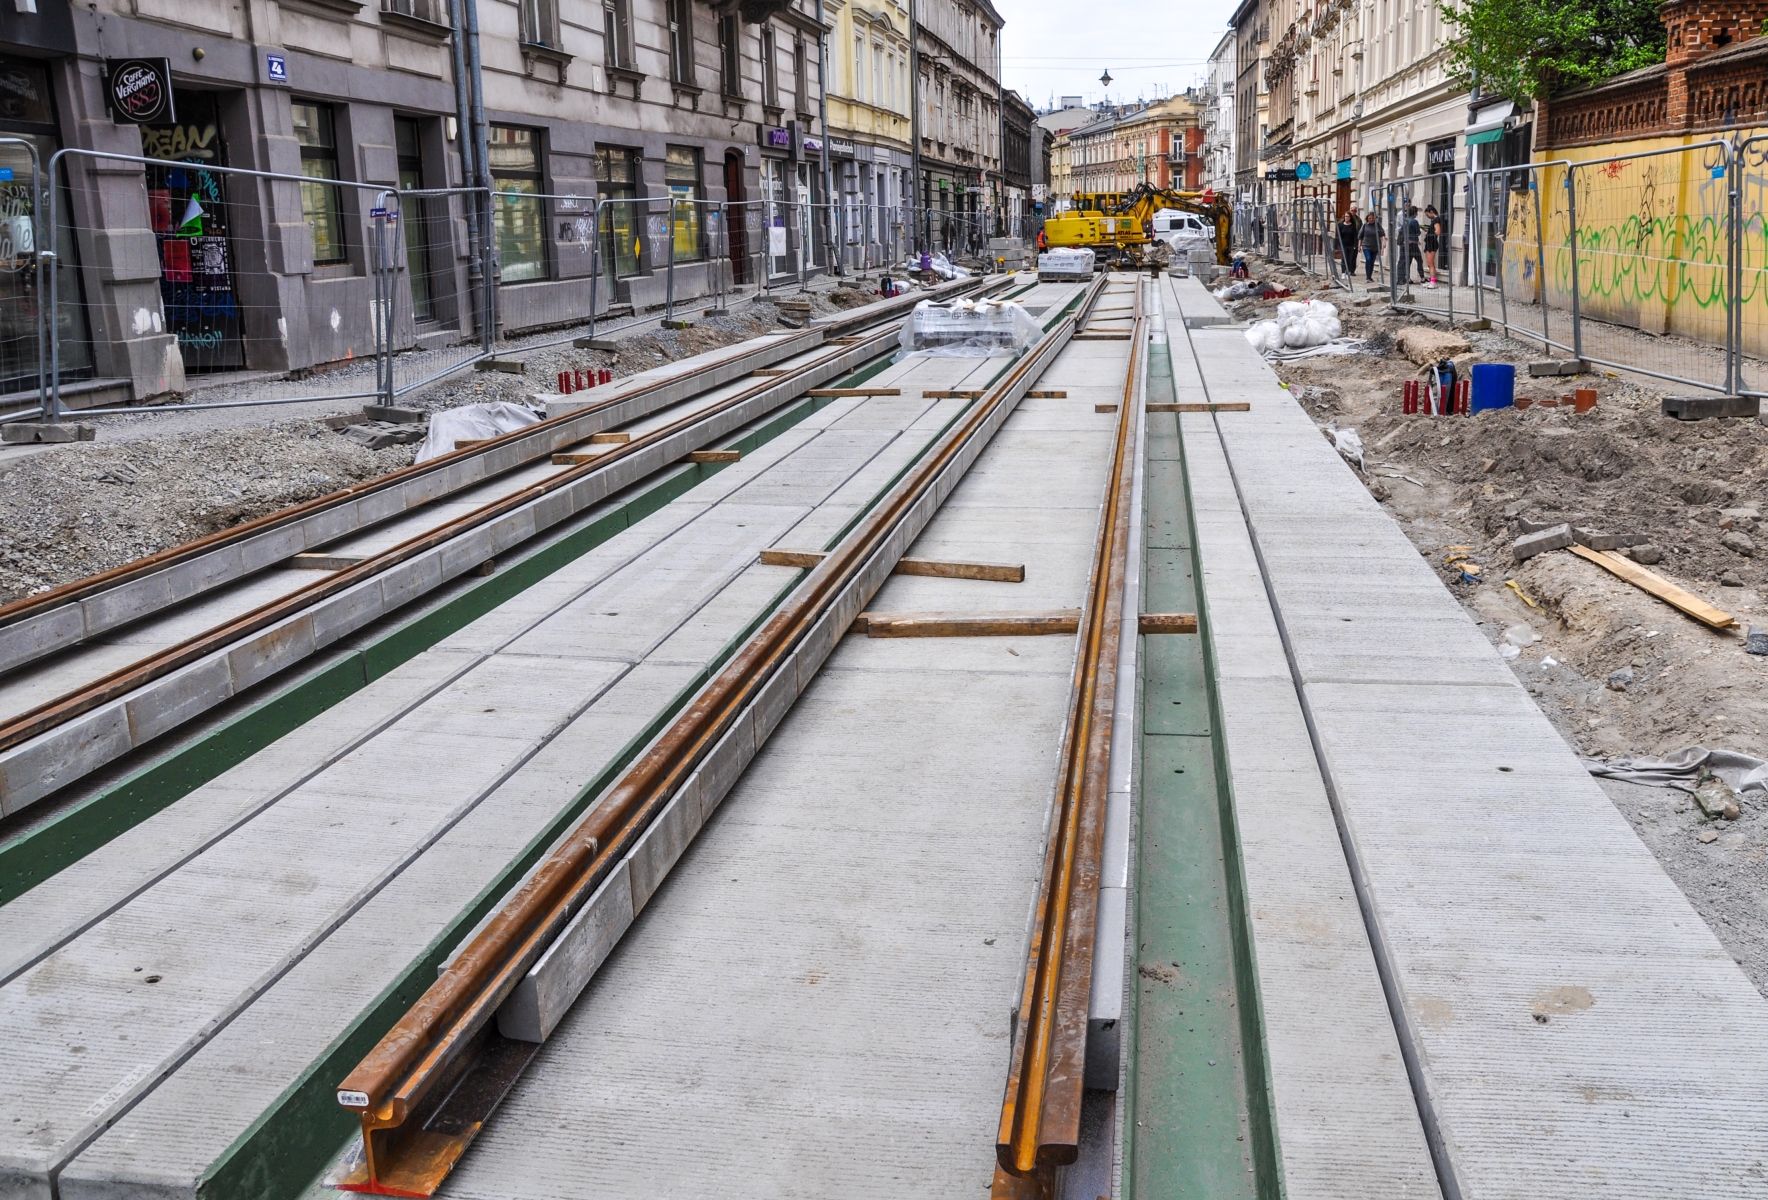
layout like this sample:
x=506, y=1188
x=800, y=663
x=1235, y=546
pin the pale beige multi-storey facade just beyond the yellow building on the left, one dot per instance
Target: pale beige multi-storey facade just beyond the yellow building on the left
x=959, y=80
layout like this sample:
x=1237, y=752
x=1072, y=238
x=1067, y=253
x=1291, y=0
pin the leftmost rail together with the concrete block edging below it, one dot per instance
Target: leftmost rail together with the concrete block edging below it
x=36, y=627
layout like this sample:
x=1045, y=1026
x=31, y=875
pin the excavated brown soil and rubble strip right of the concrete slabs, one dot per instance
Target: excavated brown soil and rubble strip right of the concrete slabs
x=1615, y=669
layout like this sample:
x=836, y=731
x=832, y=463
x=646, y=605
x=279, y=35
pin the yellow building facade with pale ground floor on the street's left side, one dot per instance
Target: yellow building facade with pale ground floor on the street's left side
x=871, y=123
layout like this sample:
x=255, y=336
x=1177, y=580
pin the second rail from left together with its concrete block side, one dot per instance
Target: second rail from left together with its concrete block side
x=66, y=738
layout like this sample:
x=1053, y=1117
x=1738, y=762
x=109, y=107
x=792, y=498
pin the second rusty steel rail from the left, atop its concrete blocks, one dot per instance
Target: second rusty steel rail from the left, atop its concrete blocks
x=126, y=680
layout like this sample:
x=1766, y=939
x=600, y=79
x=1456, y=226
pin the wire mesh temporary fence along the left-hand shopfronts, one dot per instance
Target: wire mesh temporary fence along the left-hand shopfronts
x=305, y=287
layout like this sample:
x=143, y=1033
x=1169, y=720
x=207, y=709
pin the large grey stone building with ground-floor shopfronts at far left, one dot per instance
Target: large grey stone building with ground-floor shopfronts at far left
x=632, y=100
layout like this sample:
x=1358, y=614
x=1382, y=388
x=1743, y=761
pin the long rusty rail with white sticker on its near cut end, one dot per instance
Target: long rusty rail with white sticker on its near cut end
x=446, y=1045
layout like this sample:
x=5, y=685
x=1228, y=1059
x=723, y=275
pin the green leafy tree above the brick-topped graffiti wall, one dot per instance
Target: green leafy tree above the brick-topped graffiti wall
x=1532, y=49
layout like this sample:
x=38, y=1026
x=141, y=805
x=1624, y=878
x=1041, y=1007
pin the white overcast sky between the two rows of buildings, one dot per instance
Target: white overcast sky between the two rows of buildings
x=1062, y=47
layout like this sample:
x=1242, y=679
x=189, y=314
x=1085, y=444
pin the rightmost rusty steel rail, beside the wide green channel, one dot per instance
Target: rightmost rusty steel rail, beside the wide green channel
x=1040, y=1114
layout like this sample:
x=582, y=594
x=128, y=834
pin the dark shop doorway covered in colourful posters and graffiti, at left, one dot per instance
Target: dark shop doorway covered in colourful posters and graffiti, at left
x=188, y=209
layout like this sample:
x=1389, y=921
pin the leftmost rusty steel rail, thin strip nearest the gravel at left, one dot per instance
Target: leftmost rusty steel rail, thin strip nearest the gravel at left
x=84, y=589
